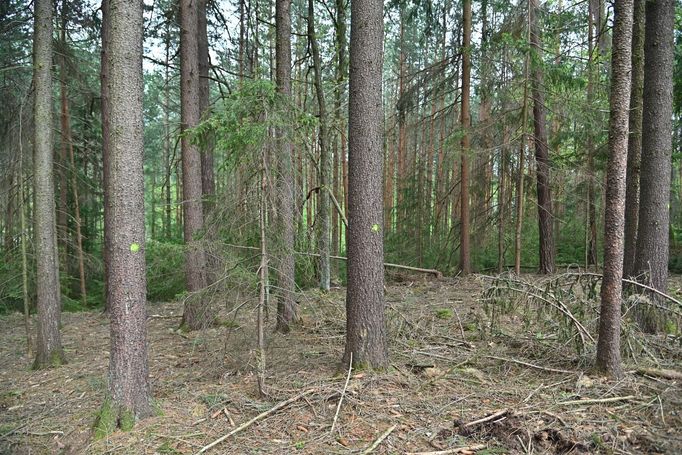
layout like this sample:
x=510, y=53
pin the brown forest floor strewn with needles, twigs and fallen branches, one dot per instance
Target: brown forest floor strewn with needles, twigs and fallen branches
x=450, y=368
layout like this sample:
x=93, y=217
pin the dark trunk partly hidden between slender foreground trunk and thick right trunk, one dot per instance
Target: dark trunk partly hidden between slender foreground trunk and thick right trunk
x=635, y=139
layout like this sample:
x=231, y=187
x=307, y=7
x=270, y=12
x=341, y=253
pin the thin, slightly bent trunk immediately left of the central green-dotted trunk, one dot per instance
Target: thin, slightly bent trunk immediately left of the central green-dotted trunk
x=323, y=210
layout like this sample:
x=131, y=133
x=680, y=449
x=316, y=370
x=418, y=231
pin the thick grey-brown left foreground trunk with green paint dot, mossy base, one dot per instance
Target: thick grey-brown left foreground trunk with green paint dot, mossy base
x=128, y=370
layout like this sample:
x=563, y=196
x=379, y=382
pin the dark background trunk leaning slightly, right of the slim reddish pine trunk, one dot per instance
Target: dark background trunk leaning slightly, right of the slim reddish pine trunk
x=541, y=149
